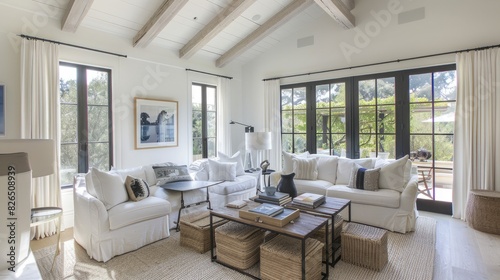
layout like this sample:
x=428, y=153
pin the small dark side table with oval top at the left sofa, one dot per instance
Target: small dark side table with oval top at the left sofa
x=185, y=186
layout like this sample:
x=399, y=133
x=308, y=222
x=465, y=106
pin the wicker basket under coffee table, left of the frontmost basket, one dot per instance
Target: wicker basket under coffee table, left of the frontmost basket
x=238, y=244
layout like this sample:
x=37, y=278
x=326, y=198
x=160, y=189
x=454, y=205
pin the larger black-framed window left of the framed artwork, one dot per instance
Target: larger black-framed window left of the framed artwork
x=86, y=127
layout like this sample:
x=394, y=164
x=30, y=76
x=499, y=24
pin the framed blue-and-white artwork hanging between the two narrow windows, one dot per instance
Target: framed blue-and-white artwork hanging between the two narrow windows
x=155, y=123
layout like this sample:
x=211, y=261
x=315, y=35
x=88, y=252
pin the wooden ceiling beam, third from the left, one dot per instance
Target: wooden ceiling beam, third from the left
x=214, y=27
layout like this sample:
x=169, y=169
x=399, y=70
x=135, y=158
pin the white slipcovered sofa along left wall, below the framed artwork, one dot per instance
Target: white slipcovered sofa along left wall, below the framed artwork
x=111, y=225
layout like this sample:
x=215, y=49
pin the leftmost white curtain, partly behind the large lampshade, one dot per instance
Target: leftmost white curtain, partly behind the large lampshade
x=40, y=116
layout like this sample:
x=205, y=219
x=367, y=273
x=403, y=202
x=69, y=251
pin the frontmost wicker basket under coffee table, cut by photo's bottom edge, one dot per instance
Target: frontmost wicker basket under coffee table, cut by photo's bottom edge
x=281, y=258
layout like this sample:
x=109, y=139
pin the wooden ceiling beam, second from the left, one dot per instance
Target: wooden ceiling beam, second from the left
x=161, y=17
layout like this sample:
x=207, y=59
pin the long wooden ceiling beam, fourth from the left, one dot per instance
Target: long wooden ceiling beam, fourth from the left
x=264, y=30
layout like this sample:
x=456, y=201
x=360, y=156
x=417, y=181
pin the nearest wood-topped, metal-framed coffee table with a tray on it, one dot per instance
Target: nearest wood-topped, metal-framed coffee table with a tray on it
x=301, y=228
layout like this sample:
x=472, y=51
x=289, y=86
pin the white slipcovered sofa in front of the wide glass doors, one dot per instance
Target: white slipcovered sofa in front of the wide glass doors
x=392, y=206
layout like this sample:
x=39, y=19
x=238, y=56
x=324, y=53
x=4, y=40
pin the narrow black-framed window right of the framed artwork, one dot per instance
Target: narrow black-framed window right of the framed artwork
x=204, y=99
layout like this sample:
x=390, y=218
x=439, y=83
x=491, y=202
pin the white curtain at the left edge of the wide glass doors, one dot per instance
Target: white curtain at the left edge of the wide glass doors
x=272, y=119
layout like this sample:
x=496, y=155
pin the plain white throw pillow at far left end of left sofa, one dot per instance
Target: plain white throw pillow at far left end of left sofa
x=109, y=188
